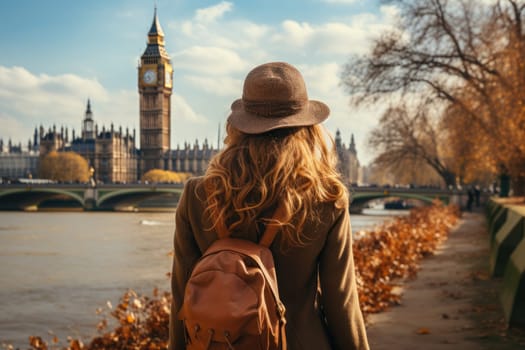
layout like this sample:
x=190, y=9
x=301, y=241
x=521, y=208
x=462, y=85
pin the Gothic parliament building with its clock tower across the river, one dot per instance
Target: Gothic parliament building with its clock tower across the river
x=113, y=152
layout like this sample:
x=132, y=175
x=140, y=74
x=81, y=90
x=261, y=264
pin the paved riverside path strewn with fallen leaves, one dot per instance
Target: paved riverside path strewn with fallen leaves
x=452, y=303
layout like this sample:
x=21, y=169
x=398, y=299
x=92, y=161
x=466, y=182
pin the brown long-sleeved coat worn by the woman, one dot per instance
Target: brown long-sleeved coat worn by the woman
x=327, y=254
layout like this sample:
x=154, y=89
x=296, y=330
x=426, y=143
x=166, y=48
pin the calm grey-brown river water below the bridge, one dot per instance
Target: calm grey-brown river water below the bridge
x=57, y=268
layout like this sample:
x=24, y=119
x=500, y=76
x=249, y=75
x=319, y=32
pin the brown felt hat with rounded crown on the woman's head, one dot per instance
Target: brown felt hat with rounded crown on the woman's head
x=274, y=96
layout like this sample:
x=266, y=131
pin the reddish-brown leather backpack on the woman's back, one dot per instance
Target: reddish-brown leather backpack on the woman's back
x=231, y=300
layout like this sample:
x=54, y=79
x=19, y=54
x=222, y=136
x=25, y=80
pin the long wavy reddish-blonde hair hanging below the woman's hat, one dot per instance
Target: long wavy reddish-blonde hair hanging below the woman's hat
x=293, y=168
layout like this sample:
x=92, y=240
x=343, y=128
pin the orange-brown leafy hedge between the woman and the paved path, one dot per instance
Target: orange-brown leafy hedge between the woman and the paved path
x=394, y=250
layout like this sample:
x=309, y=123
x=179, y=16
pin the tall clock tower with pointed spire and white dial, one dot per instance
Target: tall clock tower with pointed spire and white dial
x=155, y=85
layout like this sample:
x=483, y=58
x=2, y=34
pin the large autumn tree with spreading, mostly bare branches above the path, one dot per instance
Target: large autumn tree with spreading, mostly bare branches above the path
x=470, y=56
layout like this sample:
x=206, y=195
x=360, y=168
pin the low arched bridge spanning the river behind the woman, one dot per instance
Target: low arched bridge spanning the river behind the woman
x=130, y=196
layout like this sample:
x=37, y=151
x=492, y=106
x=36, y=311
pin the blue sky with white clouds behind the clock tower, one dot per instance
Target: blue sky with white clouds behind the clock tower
x=56, y=54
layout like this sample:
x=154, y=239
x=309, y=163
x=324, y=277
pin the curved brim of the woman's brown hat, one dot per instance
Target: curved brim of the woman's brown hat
x=314, y=112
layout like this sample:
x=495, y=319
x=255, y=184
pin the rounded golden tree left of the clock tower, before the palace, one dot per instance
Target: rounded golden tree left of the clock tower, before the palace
x=64, y=167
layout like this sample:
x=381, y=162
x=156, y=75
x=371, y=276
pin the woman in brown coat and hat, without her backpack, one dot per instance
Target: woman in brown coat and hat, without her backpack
x=276, y=155
